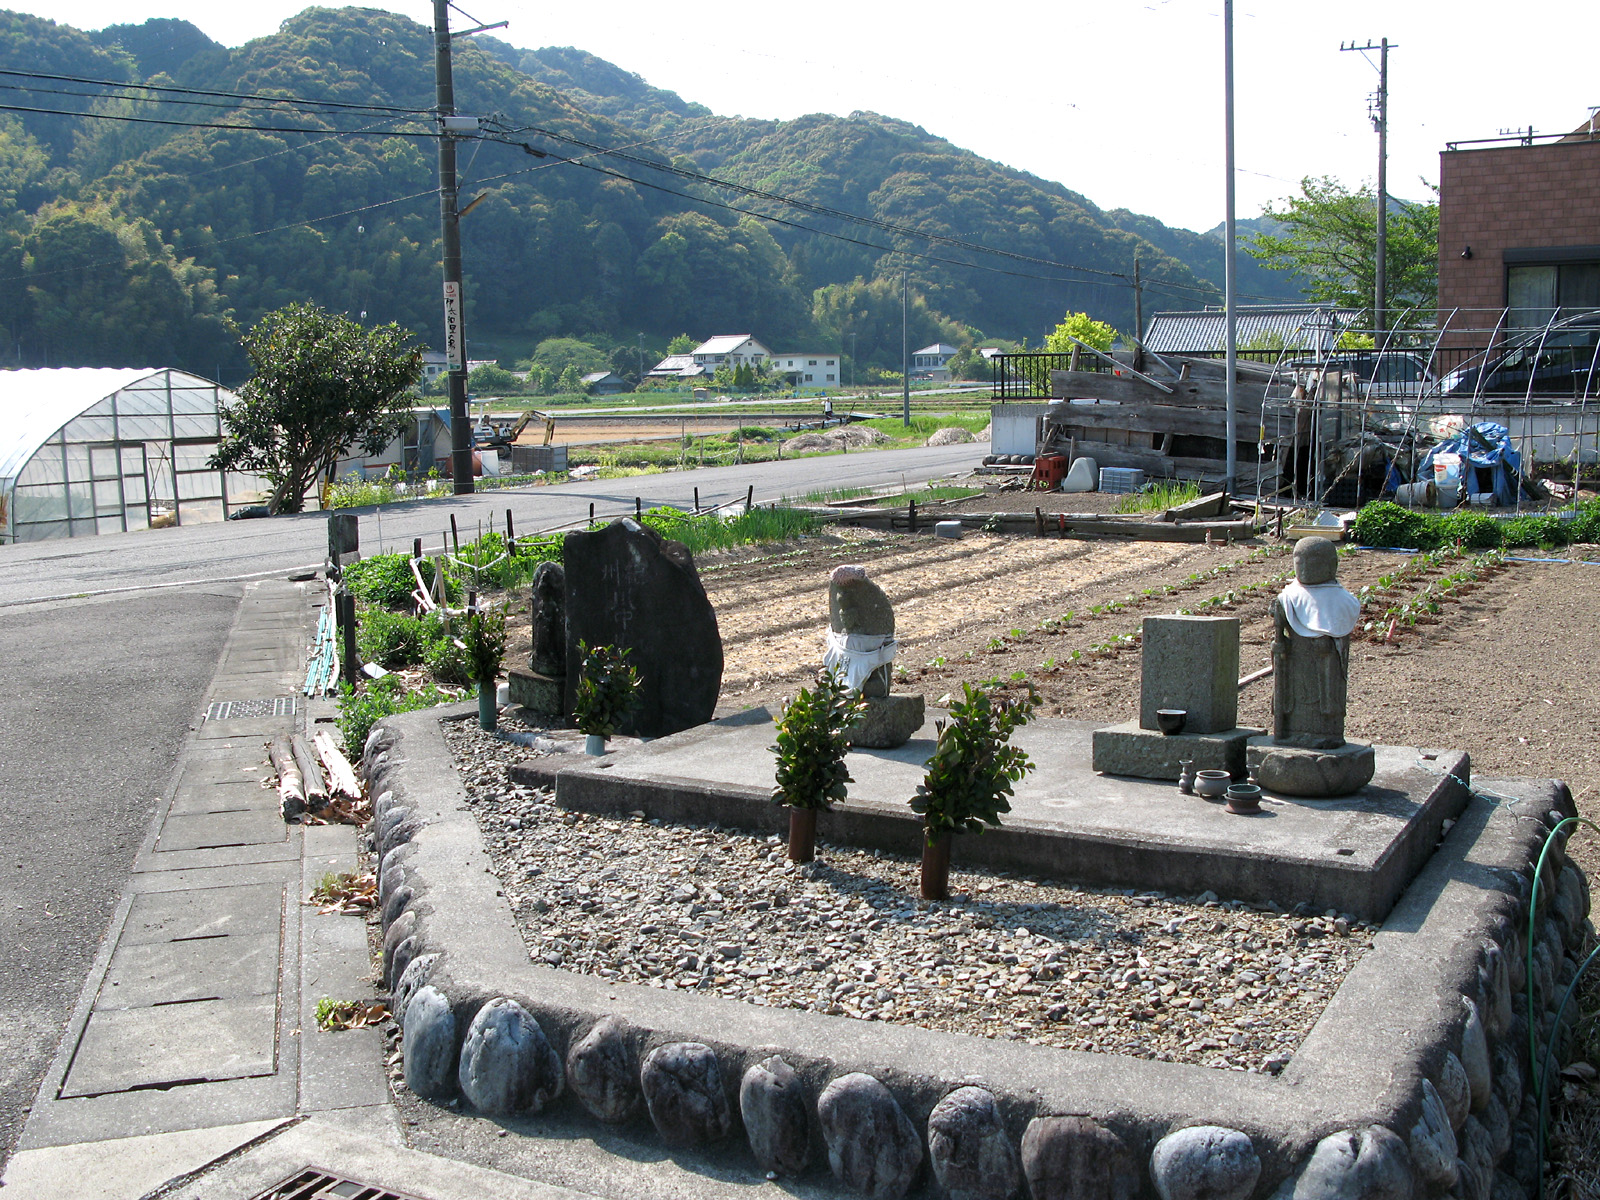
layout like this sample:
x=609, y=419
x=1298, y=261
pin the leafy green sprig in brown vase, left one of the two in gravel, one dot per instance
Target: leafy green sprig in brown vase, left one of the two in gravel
x=812, y=745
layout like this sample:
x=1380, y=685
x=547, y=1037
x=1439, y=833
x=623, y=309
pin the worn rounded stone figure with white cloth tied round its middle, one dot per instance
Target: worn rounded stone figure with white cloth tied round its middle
x=862, y=646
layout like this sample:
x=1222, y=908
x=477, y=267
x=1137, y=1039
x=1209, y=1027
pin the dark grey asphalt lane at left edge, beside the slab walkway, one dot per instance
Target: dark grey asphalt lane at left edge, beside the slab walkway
x=97, y=705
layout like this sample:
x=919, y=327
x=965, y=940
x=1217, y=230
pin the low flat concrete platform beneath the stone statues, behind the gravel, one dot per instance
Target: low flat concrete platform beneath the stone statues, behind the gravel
x=1356, y=854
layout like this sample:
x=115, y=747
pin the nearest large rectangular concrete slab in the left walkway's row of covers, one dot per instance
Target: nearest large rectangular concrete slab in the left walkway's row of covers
x=175, y=1044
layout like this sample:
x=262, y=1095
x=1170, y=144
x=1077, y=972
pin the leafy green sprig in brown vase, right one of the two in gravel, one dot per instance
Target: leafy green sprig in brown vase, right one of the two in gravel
x=972, y=772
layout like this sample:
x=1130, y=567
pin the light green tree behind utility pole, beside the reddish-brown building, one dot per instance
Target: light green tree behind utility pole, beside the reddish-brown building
x=1330, y=241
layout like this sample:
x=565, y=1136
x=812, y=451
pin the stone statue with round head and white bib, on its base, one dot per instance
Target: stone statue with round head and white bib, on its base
x=1313, y=622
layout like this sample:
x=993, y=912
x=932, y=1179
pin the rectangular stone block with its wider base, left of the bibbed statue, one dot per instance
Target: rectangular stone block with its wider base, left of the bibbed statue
x=1190, y=665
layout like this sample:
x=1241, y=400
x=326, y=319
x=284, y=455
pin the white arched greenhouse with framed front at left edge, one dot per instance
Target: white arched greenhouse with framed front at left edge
x=106, y=450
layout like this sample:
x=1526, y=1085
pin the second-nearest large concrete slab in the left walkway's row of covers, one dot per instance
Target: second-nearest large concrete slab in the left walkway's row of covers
x=199, y=969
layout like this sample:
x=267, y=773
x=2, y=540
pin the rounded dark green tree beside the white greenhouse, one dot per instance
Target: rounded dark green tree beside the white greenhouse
x=322, y=385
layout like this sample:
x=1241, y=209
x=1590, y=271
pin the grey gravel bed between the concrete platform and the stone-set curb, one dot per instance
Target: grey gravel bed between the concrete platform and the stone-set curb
x=716, y=911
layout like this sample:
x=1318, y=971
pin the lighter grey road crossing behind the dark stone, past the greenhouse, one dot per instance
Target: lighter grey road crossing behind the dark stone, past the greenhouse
x=250, y=550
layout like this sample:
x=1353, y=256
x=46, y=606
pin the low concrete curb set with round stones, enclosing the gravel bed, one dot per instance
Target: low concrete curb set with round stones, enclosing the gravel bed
x=1436, y=1001
